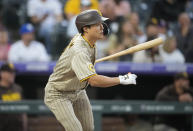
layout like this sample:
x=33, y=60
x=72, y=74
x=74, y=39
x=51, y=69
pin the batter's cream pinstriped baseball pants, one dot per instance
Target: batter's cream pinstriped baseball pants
x=72, y=109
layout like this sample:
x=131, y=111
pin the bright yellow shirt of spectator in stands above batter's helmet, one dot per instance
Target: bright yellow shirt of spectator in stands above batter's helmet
x=73, y=7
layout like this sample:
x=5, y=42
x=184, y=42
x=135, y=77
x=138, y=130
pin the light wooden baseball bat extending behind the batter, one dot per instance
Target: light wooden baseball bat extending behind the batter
x=139, y=47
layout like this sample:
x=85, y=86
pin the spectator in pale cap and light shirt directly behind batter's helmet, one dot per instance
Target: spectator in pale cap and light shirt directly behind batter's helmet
x=71, y=29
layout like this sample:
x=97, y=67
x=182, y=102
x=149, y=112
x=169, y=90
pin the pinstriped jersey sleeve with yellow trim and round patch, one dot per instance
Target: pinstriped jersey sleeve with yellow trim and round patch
x=82, y=66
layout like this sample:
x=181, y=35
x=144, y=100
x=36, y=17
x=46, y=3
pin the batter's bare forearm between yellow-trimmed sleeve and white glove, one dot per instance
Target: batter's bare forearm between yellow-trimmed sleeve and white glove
x=103, y=81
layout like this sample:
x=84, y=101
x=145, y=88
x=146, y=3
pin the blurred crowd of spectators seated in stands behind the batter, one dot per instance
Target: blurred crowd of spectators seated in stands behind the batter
x=53, y=23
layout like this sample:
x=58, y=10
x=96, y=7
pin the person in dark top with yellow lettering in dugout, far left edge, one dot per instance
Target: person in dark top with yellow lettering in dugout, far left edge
x=9, y=91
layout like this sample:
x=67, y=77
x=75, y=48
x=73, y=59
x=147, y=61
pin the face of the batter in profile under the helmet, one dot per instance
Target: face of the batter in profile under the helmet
x=96, y=31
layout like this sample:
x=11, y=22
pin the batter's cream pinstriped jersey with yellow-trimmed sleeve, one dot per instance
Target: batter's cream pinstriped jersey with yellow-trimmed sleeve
x=75, y=66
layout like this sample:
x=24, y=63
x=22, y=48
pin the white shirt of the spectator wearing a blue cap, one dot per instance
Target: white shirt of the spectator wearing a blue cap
x=35, y=51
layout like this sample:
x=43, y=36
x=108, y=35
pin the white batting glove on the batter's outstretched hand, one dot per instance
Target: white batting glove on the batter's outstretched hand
x=128, y=79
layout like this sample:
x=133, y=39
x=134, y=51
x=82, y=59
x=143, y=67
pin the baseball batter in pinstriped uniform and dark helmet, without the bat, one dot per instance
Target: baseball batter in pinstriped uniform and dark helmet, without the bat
x=65, y=93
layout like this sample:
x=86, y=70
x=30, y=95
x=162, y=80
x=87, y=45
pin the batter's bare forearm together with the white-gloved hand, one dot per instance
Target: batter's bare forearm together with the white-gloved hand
x=104, y=81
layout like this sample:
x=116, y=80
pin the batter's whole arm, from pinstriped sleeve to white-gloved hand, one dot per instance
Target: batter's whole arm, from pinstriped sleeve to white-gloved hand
x=84, y=70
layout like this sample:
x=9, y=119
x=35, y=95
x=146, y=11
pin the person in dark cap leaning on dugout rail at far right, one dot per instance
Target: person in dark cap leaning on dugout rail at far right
x=179, y=91
